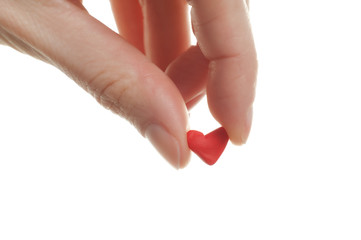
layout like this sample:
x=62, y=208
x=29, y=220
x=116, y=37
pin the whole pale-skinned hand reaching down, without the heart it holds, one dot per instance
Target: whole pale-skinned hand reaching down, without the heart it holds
x=148, y=73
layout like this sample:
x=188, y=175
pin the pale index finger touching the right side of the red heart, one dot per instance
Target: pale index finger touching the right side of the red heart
x=224, y=35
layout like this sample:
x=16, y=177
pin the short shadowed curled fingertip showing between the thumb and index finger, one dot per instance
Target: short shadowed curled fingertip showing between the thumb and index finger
x=189, y=72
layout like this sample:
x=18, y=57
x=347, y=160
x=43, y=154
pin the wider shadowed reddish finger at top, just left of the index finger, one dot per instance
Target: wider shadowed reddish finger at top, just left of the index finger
x=166, y=30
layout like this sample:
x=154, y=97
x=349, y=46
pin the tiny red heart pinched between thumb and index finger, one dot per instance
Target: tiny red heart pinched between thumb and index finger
x=209, y=147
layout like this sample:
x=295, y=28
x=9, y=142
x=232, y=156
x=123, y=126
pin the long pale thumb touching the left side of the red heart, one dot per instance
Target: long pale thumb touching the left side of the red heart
x=117, y=74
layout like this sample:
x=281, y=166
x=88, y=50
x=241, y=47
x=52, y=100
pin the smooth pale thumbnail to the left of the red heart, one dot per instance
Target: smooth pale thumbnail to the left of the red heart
x=165, y=143
